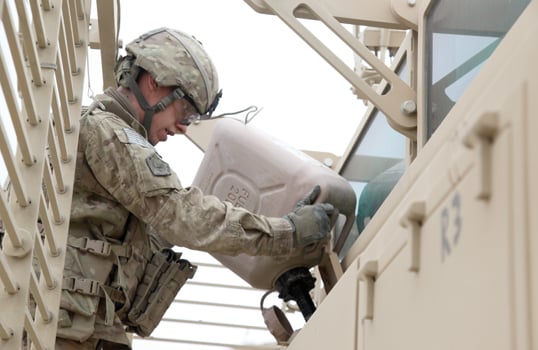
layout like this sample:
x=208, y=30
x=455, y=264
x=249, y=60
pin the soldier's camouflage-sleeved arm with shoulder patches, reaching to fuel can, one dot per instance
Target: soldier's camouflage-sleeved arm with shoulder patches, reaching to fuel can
x=141, y=181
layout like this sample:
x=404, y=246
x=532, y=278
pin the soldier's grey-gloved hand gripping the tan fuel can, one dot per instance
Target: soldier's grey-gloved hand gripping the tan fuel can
x=311, y=223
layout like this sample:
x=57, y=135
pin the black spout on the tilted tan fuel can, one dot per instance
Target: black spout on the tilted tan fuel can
x=295, y=284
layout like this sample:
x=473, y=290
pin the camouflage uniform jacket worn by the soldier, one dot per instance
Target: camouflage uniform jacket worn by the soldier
x=121, y=186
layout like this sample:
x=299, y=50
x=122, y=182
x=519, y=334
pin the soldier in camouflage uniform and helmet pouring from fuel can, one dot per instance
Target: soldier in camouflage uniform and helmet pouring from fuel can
x=123, y=191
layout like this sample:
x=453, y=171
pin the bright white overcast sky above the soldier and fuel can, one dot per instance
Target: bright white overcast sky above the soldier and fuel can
x=262, y=62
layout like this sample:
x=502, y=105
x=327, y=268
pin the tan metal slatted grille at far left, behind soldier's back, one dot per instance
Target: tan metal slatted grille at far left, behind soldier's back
x=42, y=65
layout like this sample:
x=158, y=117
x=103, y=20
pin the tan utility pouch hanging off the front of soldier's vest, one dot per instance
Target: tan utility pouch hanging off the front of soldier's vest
x=164, y=276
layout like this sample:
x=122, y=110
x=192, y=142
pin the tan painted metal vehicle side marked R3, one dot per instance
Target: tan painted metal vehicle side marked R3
x=449, y=261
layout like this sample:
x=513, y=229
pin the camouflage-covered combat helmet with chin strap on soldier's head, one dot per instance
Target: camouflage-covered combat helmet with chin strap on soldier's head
x=176, y=59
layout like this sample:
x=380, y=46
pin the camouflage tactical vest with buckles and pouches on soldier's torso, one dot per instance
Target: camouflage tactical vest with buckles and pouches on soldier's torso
x=117, y=271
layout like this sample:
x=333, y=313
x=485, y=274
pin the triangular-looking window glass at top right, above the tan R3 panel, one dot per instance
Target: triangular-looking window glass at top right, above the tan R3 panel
x=460, y=36
